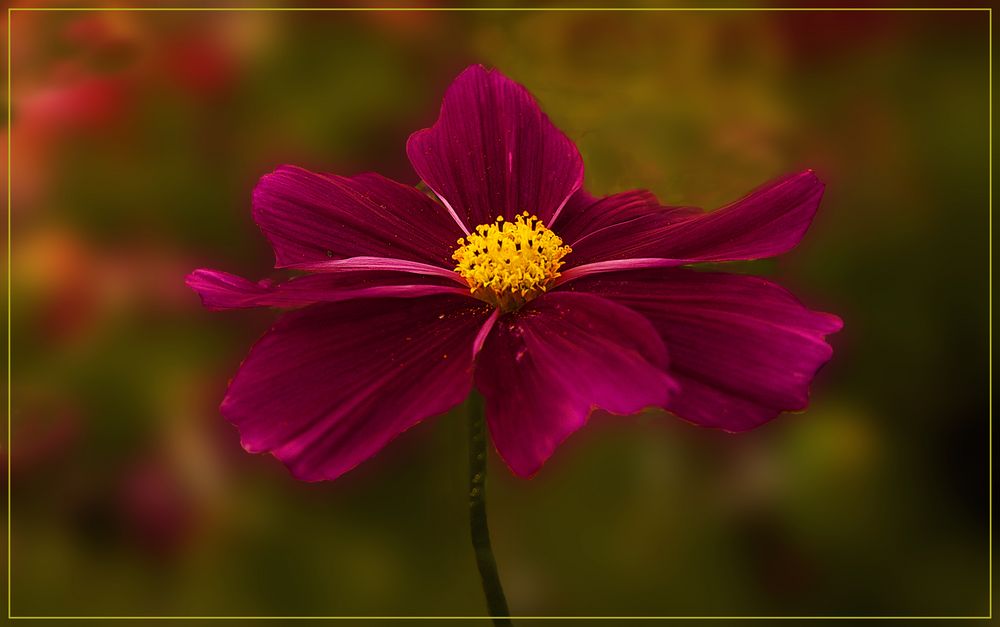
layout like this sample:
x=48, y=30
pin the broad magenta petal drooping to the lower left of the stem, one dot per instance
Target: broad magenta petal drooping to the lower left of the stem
x=331, y=384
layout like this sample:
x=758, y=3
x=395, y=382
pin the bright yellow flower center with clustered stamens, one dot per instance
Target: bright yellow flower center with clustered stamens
x=508, y=263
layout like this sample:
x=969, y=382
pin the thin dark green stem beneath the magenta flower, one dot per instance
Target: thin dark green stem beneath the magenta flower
x=496, y=602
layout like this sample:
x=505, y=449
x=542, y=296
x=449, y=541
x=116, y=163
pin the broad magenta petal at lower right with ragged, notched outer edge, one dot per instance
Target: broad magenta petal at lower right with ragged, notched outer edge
x=742, y=349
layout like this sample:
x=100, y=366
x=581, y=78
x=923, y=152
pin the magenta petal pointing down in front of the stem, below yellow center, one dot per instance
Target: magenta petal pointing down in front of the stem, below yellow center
x=545, y=367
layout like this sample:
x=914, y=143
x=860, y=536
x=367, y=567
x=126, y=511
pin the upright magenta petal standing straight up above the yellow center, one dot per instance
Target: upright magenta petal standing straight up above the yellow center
x=493, y=152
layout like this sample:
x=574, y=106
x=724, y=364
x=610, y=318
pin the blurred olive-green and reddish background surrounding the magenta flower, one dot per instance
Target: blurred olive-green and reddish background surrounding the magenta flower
x=137, y=139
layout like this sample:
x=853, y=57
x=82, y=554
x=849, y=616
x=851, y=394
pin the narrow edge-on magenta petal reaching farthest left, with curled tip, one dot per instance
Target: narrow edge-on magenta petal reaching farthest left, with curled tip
x=221, y=290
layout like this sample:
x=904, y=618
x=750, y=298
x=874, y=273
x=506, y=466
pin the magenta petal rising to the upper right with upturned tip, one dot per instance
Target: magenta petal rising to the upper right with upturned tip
x=767, y=222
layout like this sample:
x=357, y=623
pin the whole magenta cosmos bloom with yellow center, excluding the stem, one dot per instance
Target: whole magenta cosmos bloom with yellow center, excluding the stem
x=548, y=300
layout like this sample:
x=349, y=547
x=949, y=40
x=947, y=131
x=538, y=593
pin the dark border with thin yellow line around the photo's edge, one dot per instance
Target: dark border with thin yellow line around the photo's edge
x=987, y=10
